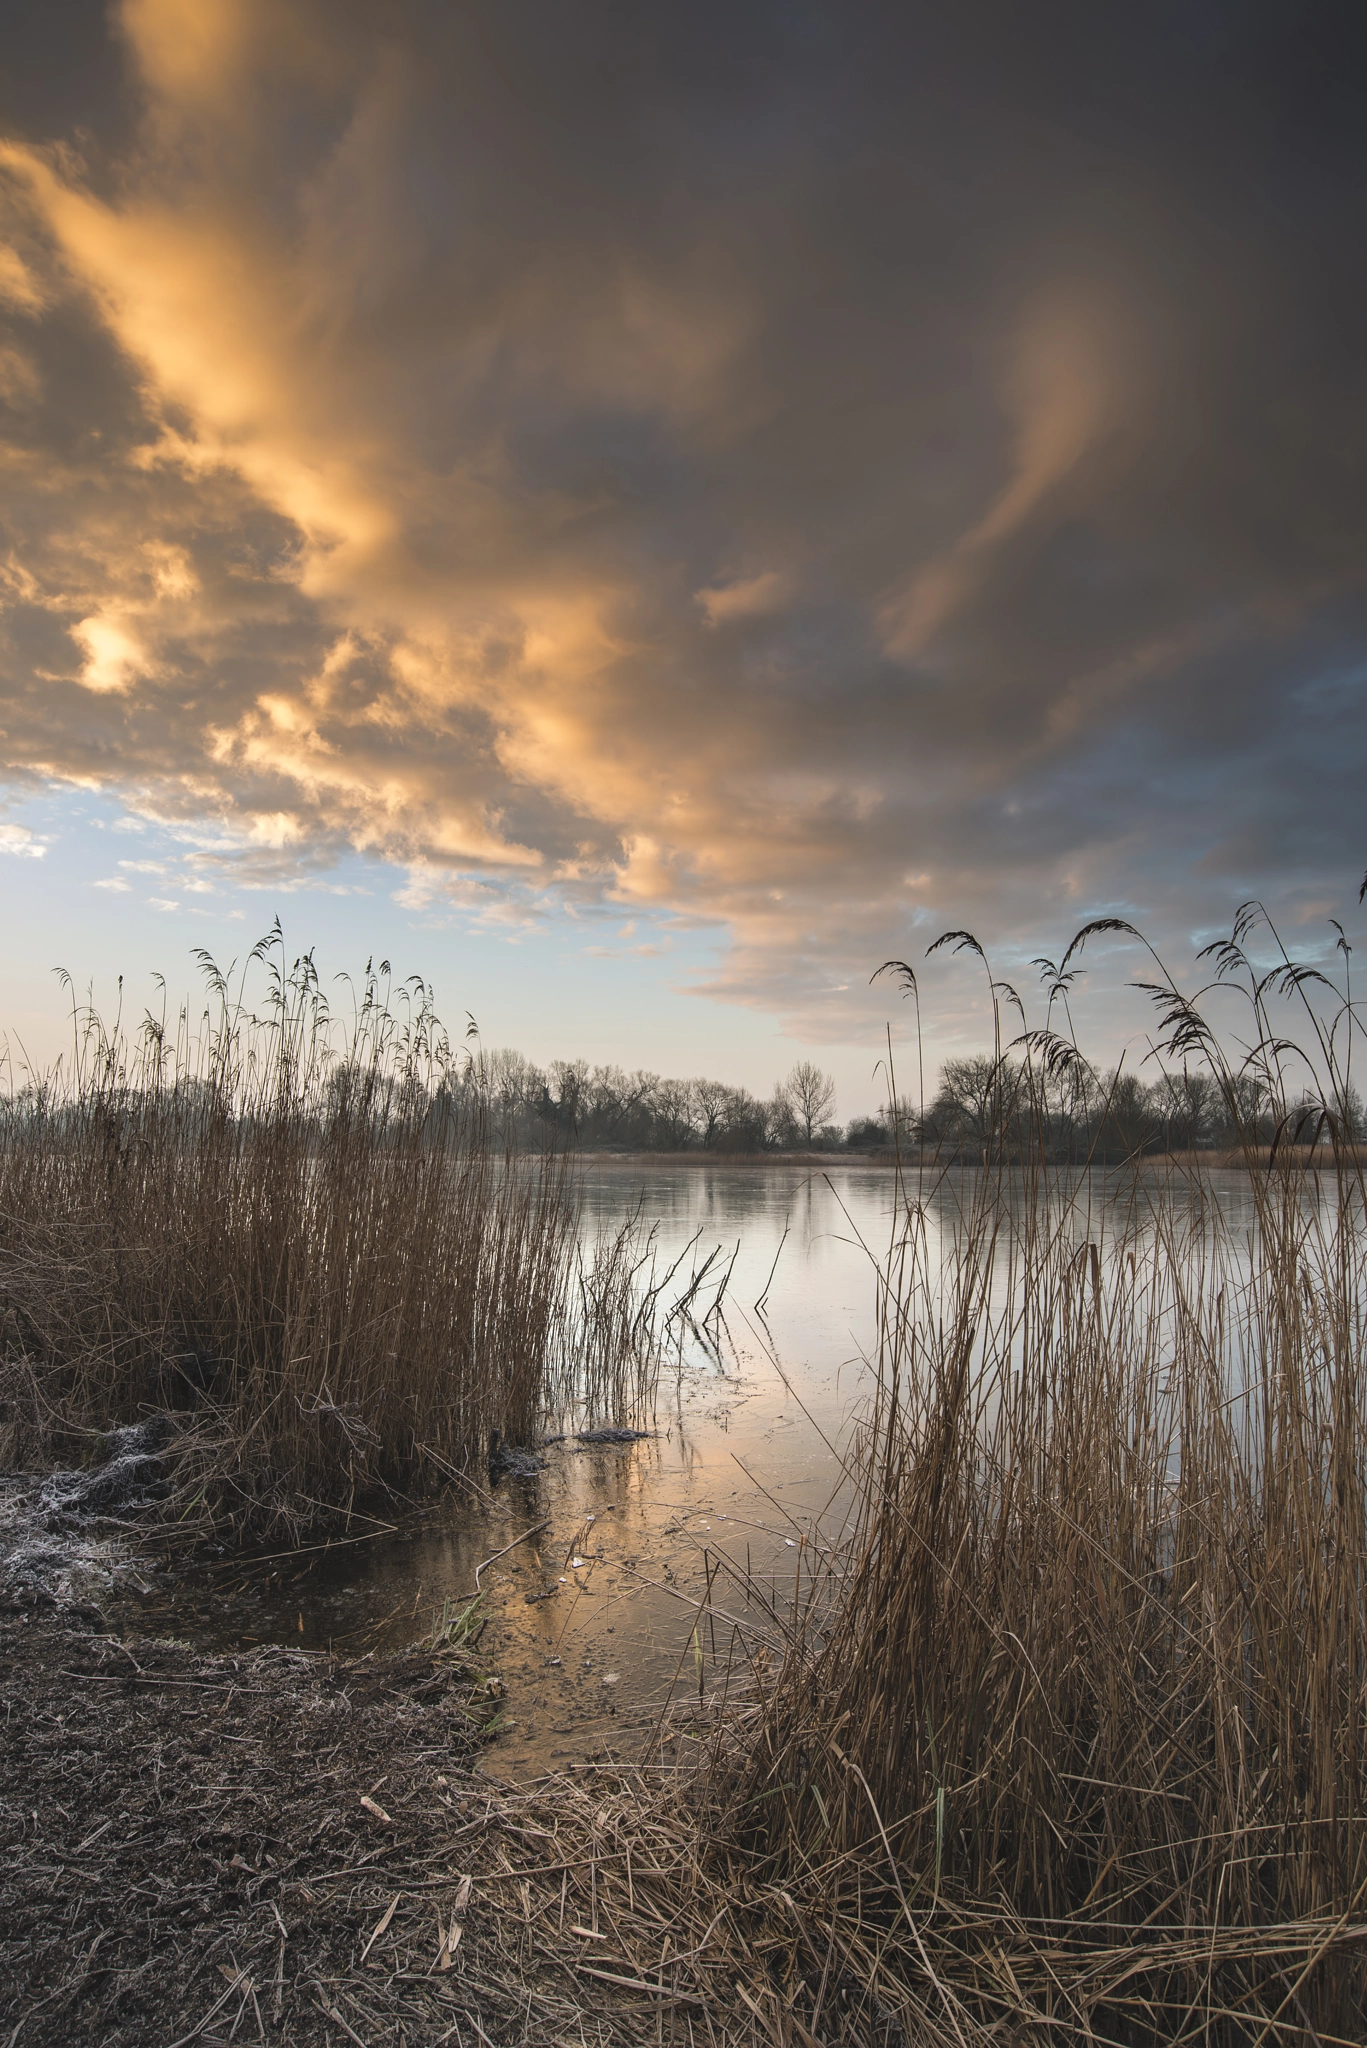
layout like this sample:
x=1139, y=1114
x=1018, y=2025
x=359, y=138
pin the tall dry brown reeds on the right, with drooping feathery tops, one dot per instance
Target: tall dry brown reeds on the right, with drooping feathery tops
x=1073, y=1734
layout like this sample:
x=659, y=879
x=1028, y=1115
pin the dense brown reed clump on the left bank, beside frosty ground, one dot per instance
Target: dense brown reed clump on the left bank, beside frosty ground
x=286, y=1226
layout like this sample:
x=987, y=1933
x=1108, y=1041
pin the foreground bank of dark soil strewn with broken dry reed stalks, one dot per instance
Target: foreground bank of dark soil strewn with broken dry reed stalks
x=188, y=1857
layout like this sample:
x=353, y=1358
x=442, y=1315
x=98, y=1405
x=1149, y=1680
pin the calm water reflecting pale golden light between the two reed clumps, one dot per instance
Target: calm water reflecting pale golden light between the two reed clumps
x=591, y=1621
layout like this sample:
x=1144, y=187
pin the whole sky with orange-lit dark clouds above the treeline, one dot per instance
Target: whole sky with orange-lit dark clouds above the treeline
x=645, y=513
